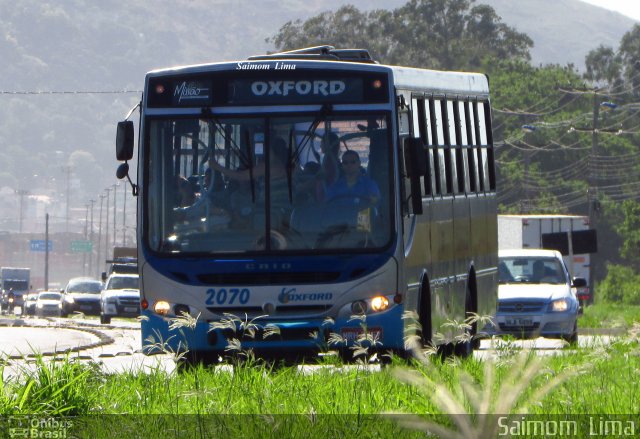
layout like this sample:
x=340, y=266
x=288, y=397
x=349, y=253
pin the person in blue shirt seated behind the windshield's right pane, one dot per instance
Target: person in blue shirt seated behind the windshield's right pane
x=353, y=185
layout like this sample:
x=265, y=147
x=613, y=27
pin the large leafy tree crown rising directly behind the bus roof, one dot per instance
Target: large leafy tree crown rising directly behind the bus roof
x=443, y=34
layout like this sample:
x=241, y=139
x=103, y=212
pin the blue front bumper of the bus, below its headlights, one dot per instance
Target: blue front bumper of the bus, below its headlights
x=381, y=331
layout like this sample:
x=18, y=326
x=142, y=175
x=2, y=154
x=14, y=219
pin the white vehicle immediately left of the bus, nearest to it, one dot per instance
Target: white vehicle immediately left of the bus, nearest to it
x=120, y=297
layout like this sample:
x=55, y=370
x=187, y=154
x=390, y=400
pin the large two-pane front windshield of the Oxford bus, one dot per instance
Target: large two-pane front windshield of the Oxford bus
x=268, y=184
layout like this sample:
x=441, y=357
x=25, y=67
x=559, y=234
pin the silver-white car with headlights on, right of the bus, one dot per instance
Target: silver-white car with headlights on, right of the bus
x=536, y=296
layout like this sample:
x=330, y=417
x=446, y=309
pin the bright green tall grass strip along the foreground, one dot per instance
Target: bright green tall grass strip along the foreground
x=446, y=398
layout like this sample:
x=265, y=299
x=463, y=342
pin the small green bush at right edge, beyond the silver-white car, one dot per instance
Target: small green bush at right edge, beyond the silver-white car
x=622, y=285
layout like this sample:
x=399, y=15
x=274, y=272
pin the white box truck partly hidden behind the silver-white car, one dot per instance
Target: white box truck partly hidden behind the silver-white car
x=569, y=234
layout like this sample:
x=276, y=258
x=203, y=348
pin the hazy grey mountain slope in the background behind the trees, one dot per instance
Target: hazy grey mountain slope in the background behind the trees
x=70, y=70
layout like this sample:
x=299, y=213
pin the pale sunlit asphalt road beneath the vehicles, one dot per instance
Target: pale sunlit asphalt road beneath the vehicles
x=116, y=347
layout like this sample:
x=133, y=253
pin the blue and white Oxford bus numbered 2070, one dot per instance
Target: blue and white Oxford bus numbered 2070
x=317, y=195
